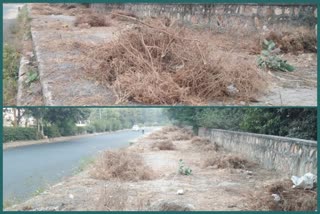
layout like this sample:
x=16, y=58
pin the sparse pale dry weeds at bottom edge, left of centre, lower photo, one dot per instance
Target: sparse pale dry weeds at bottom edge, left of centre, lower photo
x=113, y=197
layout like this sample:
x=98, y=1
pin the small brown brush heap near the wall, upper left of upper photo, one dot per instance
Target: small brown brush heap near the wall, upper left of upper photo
x=94, y=20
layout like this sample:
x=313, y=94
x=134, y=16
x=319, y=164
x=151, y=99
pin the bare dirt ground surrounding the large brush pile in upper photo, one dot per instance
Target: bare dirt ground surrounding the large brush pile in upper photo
x=61, y=48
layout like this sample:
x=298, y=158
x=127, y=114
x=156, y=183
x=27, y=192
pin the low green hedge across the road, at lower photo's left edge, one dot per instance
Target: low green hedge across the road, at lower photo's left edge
x=19, y=133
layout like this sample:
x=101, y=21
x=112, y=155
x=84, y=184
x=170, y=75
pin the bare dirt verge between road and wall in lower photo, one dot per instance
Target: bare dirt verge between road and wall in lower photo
x=207, y=188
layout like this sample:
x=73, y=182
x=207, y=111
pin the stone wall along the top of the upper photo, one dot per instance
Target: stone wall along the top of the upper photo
x=250, y=17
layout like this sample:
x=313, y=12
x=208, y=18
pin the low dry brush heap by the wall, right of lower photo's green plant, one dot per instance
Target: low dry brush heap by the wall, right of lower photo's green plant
x=226, y=161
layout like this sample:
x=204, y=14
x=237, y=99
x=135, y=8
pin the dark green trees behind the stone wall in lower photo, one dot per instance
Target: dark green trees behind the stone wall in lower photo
x=289, y=122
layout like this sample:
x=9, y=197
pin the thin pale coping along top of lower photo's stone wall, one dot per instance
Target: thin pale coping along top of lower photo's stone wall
x=271, y=137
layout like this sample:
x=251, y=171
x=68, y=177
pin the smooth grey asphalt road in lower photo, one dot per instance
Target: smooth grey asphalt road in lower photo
x=30, y=168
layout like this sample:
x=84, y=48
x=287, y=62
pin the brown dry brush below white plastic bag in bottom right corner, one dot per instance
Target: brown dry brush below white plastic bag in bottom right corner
x=290, y=199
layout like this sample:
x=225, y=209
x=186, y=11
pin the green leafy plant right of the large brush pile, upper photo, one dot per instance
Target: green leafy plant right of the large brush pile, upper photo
x=269, y=59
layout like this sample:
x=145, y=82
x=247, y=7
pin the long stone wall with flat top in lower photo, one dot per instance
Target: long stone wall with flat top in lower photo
x=287, y=155
